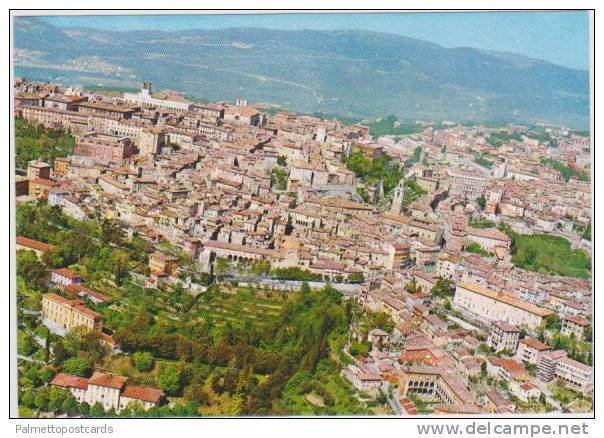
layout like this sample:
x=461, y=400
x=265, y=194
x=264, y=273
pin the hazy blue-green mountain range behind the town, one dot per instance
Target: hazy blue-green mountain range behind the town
x=350, y=72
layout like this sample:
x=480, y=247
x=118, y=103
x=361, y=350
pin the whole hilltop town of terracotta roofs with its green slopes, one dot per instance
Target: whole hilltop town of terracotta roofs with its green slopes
x=170, y=253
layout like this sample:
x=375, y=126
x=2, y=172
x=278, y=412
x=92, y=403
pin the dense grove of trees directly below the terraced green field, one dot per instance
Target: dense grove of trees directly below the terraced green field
x=221, y=375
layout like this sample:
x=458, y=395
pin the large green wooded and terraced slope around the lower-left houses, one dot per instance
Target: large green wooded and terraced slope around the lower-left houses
x=227, y=351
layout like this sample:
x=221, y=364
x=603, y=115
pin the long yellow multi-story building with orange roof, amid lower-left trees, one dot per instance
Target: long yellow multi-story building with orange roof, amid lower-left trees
x=69, y=314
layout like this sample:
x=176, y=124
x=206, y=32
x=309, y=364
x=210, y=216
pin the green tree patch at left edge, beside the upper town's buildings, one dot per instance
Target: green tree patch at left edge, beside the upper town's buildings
x=34, y=142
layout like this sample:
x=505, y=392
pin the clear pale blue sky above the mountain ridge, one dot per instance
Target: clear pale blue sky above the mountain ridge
x=559, y=37
